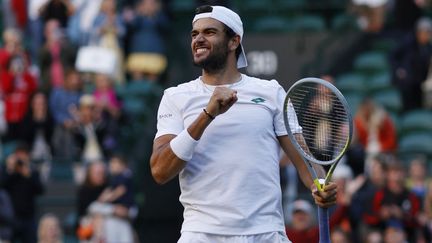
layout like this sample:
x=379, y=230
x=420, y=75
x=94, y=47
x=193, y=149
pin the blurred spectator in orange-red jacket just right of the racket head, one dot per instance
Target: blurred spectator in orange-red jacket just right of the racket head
x=375, y=129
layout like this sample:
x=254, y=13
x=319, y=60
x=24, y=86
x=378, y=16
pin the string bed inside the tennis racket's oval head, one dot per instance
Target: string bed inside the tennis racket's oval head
x=323, y=119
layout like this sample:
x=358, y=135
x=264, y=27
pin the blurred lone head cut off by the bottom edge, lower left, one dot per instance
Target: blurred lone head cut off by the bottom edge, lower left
x=49, y=230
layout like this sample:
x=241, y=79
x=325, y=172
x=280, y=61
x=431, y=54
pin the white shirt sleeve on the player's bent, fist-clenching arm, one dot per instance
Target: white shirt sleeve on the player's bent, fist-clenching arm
x=169, y=117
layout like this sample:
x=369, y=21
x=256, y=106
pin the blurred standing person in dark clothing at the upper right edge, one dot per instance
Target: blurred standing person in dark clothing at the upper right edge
x=410, y=63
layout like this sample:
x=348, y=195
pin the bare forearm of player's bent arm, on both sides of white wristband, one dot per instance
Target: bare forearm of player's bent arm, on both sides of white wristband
x=165, y=164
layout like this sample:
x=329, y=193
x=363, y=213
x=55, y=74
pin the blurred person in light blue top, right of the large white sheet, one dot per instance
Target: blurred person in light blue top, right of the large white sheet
x=109, y=31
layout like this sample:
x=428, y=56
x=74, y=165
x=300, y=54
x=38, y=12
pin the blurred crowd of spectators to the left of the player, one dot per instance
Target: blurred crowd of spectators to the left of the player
x=61, y=65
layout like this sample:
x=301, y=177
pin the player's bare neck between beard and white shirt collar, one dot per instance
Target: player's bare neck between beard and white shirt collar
x=225, y=76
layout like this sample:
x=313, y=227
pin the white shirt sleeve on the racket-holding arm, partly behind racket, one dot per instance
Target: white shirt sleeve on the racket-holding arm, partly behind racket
x=279, y=122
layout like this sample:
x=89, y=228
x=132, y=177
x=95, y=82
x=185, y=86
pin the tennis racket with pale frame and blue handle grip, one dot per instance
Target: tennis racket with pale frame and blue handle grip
x=326, y=130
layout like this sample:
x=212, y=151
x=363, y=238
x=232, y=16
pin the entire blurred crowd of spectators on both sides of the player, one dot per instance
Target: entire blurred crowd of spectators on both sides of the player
x=62, y=63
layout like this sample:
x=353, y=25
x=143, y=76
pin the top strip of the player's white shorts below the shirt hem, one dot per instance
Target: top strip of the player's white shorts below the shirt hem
x=197, y=237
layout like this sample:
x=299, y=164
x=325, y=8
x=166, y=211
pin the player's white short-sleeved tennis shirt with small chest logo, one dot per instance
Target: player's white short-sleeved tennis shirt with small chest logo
x=231, y=185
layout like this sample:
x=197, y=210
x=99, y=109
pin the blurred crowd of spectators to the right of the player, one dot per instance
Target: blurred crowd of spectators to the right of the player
x=382, y=197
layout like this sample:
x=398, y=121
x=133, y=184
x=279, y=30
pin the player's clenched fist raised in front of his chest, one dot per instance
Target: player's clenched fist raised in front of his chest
x=221, y=100
